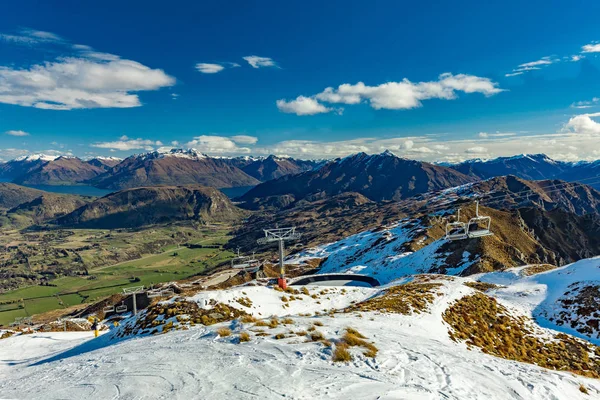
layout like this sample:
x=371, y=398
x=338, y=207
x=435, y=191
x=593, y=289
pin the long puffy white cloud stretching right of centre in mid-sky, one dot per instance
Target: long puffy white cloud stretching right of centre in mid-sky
x=391, y=95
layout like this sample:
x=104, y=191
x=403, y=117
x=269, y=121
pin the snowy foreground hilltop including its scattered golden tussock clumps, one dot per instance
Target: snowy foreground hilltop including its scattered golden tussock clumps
x=289, y=344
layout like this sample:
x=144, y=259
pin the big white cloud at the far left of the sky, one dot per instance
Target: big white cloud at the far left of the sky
x=86, y=79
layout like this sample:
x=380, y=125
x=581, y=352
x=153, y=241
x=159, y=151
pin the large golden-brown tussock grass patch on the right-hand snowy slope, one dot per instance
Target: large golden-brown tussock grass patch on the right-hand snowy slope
x=481, y=322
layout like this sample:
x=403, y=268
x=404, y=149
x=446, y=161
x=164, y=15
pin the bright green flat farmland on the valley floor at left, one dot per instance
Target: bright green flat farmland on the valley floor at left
x=173, y=263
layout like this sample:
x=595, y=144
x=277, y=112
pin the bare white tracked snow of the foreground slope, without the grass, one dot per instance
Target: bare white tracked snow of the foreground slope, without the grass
x=416, y=359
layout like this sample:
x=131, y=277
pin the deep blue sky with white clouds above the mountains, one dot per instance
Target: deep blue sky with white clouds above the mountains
x=428, y=81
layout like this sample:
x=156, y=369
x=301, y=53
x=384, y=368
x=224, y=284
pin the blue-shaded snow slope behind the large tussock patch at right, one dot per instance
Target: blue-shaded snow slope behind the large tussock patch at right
x=538, y=295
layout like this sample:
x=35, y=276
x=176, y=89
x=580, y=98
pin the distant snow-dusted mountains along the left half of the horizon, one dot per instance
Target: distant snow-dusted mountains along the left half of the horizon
x=173, y=167
